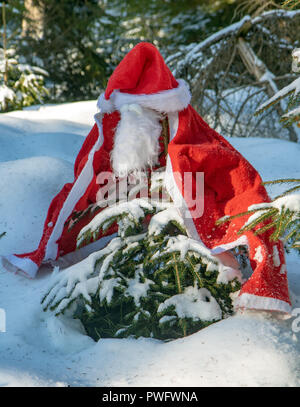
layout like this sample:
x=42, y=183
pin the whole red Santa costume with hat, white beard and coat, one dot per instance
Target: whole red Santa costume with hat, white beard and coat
x=141, y=88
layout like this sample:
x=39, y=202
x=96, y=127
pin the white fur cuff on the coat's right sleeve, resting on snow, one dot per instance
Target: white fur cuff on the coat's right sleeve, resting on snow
x=257, y=302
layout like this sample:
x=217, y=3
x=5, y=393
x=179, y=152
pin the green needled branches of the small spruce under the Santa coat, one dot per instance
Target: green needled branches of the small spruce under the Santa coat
x=139, y=260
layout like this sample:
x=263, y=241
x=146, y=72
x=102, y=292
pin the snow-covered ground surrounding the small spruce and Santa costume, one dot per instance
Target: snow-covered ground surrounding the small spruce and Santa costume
x=37, y=151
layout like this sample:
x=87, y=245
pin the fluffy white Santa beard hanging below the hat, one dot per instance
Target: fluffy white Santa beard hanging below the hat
x=136, y=145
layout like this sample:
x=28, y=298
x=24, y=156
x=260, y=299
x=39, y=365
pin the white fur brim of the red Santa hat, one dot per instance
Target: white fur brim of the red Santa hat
x=172, y=100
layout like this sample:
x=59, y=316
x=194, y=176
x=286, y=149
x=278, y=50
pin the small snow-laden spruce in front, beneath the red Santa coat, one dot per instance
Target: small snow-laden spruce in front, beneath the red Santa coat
x=151, y=281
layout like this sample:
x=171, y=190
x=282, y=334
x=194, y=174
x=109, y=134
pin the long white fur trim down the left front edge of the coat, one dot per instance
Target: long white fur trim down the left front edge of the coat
x=75, y=194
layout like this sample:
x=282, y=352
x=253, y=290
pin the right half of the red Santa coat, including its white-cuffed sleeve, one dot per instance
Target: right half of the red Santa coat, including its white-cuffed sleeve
x=231, y=186
